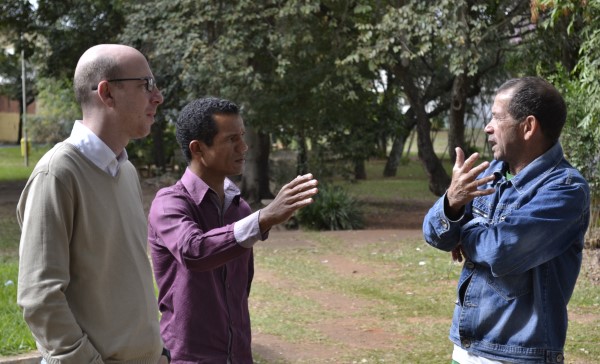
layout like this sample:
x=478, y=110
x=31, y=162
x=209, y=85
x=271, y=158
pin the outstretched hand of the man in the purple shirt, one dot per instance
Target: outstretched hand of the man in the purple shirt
x=292, y=197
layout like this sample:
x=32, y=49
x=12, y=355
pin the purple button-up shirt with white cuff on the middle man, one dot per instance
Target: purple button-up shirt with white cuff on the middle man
x=203, y=263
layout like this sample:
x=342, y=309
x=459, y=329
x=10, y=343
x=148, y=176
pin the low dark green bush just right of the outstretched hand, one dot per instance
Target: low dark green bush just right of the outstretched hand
x=333, y=209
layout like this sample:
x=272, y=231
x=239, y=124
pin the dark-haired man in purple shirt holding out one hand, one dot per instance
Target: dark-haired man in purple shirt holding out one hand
x=201, y=234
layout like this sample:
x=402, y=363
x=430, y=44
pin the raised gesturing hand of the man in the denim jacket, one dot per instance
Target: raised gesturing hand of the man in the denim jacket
x=464, y=186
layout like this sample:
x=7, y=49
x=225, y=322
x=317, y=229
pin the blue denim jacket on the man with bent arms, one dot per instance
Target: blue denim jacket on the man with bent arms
x=524, y=245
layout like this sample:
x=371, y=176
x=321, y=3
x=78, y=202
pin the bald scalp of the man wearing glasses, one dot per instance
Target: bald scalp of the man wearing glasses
x=101, y=62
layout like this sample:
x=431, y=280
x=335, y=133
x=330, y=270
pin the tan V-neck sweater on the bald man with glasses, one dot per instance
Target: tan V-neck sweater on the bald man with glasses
x=85, y=282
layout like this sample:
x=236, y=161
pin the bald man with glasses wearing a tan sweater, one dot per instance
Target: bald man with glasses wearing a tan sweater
x=85, y=282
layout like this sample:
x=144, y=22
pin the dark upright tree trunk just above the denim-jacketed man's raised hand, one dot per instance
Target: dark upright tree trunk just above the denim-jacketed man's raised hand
x=456, y=127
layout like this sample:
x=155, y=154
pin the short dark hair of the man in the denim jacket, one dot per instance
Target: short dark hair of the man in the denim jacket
x=535, y=96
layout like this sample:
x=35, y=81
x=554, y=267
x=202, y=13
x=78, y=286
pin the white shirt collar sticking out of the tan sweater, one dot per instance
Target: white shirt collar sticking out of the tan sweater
x=94, y=149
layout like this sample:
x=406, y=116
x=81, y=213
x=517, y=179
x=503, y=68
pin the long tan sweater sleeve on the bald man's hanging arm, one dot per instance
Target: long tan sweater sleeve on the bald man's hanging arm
x=46, y=212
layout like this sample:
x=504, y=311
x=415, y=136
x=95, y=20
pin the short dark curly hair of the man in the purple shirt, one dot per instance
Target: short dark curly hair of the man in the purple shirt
x=196, y=122
